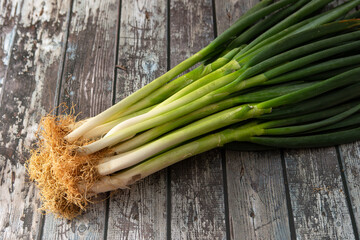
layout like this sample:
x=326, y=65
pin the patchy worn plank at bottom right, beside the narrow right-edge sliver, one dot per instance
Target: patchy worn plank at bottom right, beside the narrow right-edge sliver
x=317, y=195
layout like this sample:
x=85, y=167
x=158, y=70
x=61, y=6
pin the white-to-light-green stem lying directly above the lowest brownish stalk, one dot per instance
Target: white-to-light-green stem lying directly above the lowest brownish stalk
x=198, y=128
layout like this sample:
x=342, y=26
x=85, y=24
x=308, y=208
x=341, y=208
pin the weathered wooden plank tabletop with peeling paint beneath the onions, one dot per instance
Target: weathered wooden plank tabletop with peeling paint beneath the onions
x=94, y=53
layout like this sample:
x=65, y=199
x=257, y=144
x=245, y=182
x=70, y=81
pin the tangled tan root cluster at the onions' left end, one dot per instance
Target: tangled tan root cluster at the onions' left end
x=59, y=170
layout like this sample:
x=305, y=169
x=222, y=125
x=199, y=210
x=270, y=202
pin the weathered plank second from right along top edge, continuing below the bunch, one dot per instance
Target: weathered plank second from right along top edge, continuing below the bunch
x=197, y=203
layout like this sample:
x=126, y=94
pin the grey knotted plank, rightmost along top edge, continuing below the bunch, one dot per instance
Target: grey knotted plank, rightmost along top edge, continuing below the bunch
x=256, y=191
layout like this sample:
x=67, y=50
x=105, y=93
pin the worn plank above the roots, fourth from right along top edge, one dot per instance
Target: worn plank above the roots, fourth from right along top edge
x=90, y=57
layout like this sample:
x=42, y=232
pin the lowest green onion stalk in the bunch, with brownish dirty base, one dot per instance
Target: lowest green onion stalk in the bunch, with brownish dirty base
x=127, y=177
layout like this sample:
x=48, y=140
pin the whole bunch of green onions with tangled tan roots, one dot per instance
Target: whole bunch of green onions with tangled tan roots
x=283, y=75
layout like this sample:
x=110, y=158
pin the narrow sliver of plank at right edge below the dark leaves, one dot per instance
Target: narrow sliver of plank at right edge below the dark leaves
x=350, y=157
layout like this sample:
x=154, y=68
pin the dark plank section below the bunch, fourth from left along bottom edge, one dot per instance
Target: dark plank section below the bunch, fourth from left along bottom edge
x=197, y=199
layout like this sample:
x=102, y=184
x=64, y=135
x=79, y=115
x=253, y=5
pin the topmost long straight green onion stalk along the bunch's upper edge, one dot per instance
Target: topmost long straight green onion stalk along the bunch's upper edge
x=186, y=64
